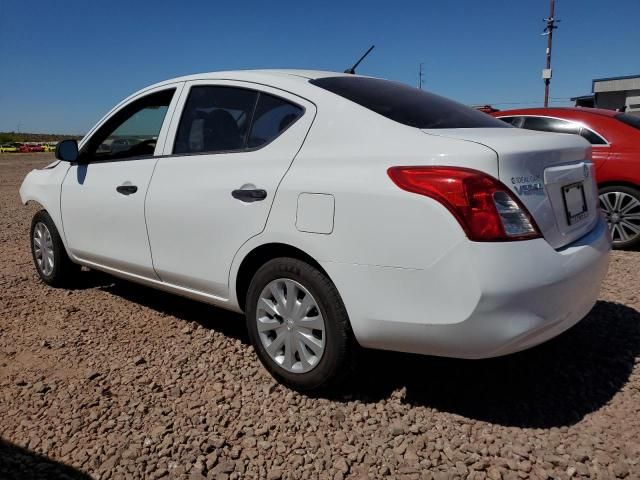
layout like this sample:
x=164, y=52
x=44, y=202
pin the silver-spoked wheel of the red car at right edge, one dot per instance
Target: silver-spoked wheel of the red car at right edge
x=621, y=206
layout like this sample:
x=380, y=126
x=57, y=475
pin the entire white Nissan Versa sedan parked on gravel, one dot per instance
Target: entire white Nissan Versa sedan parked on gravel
x=336, y=211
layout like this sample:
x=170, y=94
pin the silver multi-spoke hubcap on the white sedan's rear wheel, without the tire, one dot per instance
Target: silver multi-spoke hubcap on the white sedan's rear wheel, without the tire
x=290, y=325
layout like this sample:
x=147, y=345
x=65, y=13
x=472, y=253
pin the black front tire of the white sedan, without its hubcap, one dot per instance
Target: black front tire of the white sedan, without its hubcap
x=64, y=272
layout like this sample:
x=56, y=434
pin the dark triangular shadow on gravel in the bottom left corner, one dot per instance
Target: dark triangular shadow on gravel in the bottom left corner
x=17, y=463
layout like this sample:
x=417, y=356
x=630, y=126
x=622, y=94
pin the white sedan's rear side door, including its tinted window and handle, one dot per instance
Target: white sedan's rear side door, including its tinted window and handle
x=224, y=158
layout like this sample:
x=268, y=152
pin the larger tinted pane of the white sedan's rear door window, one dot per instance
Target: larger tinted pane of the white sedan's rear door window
x=215, y=119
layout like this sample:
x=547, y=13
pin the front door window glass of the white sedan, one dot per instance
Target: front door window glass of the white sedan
x=132, y=131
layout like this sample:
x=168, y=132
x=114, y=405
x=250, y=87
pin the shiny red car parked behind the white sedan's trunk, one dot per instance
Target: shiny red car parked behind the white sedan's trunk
x=615, y=138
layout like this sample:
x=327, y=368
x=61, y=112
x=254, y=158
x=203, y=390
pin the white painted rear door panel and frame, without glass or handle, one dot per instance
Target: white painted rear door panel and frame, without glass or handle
x=201, y=204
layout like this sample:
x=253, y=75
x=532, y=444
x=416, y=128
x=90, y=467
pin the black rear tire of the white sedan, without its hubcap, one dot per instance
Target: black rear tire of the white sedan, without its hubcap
x=338, y=358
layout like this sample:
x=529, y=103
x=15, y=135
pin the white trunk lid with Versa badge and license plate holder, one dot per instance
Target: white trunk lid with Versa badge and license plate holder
x=551, y=173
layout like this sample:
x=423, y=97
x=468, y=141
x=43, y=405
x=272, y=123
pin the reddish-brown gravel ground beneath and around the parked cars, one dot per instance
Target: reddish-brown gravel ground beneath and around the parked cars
x=115, y=380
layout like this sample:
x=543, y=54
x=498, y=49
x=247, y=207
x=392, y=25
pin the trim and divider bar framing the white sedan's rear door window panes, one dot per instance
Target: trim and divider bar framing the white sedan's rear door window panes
x=187, y=92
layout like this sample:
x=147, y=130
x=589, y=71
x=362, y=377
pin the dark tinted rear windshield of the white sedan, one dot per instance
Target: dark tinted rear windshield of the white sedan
x=407, y=105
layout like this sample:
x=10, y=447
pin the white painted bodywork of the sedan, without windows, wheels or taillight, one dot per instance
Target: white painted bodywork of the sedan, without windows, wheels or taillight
x=410, y=278
